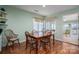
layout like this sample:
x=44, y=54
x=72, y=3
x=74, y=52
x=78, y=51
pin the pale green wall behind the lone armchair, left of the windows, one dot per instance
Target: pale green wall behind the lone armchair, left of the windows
x=19, y=21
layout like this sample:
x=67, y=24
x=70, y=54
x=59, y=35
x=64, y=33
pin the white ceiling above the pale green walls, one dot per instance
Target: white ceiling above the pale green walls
x=49, y=9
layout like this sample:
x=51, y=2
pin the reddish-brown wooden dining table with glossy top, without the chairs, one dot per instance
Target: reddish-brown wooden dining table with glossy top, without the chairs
x=38, y=37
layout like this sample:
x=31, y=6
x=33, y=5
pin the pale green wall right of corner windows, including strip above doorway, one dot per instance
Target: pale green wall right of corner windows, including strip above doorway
x=60, y=23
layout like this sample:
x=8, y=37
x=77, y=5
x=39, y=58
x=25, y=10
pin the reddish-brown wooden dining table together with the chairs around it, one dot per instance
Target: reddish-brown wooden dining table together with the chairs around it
x=36, y=40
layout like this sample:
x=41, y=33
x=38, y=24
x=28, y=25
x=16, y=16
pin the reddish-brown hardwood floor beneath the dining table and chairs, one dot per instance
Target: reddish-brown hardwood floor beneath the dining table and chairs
x=58, y=48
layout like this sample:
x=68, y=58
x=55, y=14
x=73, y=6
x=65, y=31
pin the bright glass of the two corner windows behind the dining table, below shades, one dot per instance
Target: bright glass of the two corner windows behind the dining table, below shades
x=43, y=25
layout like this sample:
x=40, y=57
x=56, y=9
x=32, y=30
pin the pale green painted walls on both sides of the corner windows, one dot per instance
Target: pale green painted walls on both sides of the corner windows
x=20, y=21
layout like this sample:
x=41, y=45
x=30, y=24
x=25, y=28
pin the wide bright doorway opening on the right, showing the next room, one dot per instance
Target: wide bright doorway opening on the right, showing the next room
x=71, y=28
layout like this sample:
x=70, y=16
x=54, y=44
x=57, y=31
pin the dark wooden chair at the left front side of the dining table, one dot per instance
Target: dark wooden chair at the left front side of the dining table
x=30, y=41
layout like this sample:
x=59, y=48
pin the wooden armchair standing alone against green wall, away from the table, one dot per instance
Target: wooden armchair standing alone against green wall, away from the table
x=11, y=37
